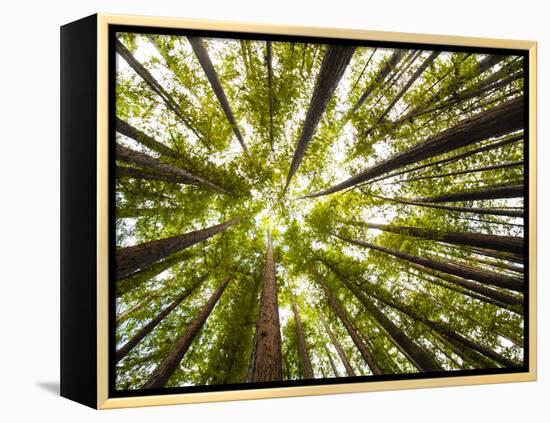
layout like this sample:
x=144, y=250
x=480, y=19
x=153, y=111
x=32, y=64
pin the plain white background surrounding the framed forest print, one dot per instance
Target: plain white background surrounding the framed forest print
x=29, y=293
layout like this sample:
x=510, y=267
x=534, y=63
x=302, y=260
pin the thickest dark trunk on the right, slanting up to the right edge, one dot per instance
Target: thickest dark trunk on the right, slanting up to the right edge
x=500, y=120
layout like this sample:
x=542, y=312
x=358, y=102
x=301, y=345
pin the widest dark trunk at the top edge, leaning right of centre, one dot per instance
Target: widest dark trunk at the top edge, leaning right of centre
x=332, y=69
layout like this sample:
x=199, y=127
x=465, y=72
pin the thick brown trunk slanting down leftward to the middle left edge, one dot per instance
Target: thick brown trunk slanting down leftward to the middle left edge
x=131, y=259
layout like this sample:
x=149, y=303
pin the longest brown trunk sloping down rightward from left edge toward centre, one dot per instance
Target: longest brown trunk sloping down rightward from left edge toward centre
x=155, y=166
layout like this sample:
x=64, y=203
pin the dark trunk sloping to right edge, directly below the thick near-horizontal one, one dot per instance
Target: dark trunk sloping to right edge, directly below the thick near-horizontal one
x=484, y=276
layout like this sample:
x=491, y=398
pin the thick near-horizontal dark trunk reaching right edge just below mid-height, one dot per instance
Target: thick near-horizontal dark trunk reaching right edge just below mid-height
x=511, y=244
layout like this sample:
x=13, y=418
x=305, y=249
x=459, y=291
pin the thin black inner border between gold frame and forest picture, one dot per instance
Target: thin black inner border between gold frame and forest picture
x=113, y=29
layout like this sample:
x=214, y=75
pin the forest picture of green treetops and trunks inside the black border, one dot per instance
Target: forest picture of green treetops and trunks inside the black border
x=291, y=210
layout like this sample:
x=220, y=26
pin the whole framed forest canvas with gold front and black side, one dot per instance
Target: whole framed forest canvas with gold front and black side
x=253, y=211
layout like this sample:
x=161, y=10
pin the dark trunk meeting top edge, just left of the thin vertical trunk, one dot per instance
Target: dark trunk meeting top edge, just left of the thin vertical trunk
x=204, y=59
